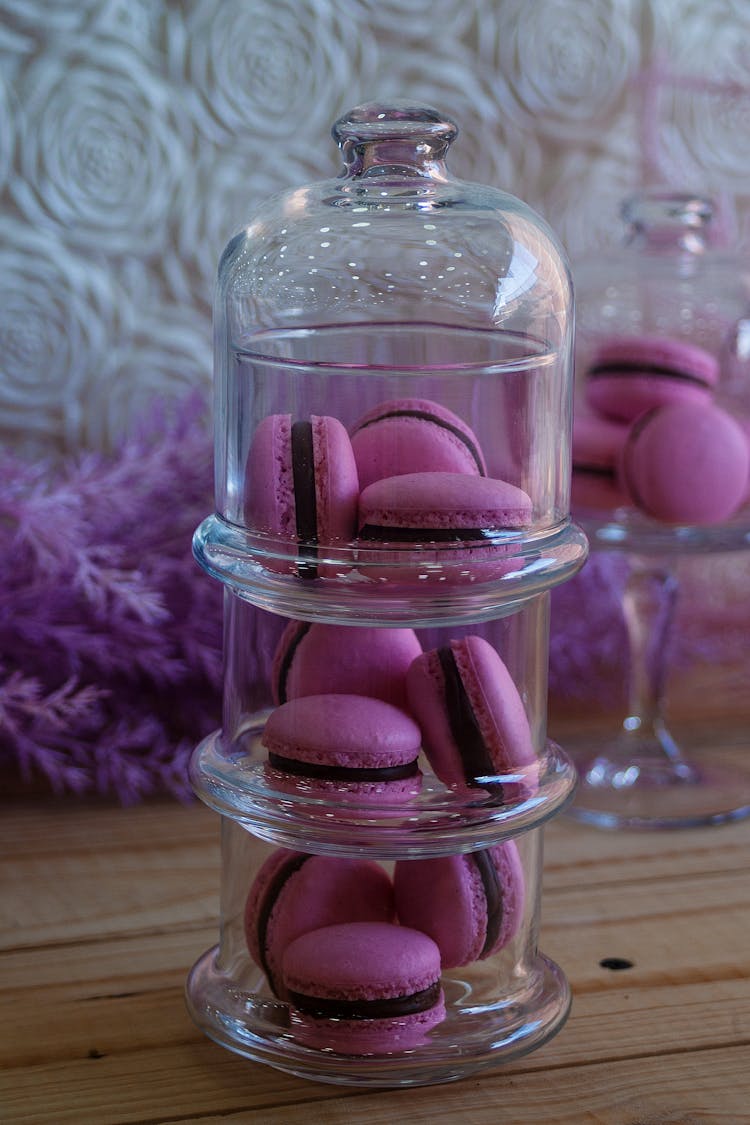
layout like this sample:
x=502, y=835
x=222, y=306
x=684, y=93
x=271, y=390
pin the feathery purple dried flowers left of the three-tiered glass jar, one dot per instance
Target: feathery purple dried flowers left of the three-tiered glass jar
x=111, y=634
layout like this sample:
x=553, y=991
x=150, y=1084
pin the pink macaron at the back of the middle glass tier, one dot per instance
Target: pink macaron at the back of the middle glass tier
x=317, y=660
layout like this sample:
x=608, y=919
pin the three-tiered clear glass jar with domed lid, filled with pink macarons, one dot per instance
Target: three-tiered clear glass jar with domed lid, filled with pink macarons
x=394, y=393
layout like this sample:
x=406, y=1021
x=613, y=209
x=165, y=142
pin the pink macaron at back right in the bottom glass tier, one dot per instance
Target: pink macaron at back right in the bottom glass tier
x=471, y=905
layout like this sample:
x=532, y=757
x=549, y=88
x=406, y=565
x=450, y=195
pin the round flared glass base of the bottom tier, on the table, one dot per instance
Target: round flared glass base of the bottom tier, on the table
x=473, y=1037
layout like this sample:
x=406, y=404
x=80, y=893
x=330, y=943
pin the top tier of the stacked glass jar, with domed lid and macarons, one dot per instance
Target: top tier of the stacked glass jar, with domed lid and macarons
x=418, y=325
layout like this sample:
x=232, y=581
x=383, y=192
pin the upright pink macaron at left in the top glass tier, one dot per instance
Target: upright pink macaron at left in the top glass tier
x=302, y=488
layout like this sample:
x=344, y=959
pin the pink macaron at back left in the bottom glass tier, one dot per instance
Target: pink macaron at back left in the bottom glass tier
x=295, y=893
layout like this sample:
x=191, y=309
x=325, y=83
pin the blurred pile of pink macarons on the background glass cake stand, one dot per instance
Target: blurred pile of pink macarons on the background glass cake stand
x=652, y=435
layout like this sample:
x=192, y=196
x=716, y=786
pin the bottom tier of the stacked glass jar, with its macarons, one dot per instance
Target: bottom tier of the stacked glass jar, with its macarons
x=498, y=996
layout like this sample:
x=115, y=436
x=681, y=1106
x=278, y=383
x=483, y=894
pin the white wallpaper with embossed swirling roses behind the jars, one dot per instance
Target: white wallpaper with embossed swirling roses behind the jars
x=135, y=136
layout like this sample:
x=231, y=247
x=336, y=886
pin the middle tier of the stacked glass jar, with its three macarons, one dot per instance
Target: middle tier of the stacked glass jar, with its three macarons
x=278, y=669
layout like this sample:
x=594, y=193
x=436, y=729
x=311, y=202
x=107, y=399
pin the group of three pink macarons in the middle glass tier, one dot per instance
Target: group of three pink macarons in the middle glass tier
x=357, y=706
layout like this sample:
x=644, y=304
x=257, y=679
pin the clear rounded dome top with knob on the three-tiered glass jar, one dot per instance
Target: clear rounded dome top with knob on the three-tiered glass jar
x=395, y=238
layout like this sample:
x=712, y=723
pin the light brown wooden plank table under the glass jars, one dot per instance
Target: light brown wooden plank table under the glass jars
x=105, y=910
